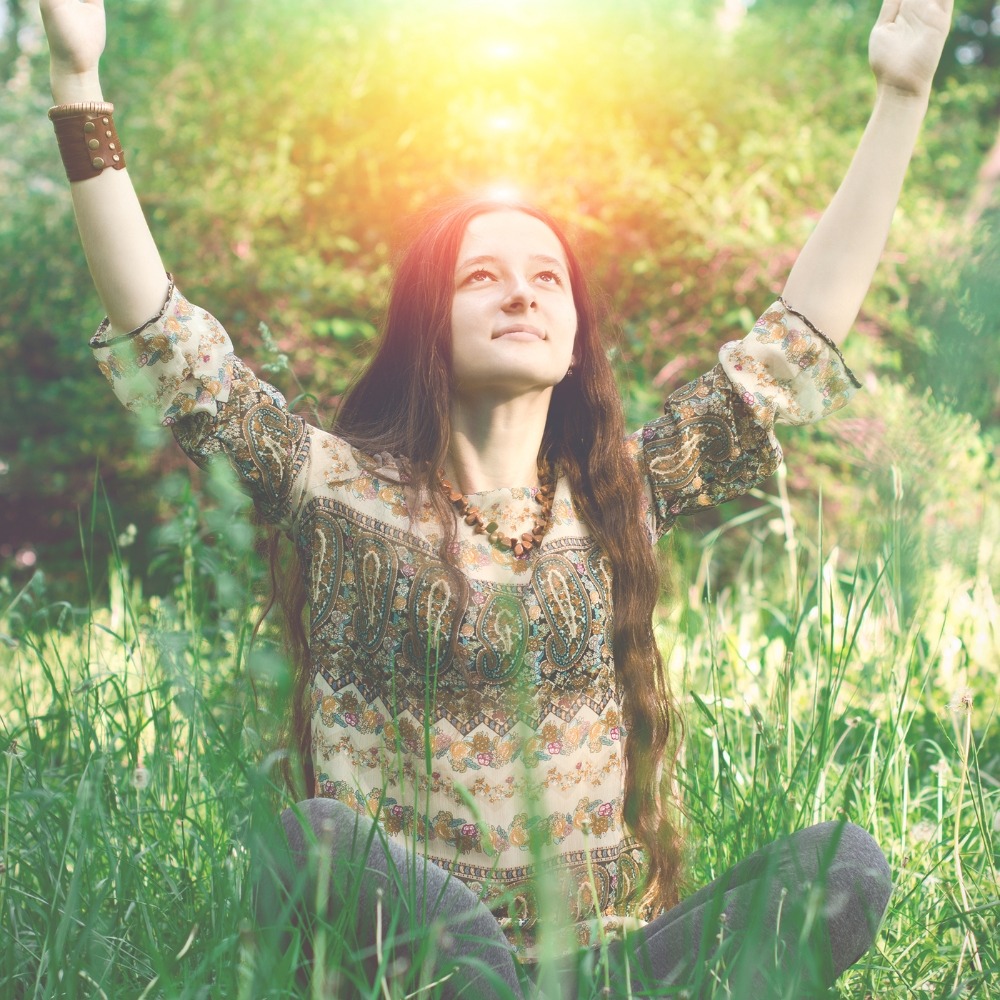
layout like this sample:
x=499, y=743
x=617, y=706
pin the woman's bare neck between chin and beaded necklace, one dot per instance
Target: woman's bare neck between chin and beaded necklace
x=495, y=444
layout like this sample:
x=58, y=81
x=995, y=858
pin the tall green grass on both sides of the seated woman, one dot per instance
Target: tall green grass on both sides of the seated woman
x=137, y=782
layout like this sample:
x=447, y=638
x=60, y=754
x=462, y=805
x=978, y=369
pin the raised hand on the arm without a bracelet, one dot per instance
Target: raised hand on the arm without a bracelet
x=906, y=44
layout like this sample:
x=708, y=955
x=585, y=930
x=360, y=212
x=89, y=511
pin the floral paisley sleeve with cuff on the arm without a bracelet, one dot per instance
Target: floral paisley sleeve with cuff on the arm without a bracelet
x=716, y=439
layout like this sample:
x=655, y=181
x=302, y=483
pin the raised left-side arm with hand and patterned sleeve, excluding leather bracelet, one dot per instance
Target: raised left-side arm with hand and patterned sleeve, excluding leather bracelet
x=162, y=353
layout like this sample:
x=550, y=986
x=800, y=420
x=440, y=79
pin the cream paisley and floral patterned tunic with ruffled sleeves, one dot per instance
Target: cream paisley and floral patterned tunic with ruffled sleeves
x=471, y=706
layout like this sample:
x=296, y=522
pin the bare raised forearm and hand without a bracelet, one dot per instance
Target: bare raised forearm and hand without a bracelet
x=831, y=276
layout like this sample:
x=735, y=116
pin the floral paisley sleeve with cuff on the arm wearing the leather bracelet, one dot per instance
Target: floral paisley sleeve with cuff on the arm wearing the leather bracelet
x=181, y=366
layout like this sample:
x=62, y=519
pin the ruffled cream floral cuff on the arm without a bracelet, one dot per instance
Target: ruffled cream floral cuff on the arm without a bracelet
x=787, y=370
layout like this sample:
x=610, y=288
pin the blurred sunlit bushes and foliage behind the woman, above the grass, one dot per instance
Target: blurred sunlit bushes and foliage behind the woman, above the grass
x=279, y=147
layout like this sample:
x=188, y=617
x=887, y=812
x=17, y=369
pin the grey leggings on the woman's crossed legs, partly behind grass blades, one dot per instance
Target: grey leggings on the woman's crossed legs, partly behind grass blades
x=784, y=922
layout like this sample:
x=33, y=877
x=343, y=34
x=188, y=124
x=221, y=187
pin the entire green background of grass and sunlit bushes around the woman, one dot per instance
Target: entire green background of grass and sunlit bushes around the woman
x=833, y=642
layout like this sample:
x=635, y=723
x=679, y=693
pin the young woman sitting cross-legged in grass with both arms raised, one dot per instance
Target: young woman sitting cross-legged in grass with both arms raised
x=475, y=545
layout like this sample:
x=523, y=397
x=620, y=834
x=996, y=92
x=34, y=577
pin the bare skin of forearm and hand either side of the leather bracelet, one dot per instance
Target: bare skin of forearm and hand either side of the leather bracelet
x=124, y=261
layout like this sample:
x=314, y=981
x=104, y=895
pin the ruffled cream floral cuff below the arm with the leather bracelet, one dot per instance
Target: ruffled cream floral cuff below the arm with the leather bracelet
x=179, y=362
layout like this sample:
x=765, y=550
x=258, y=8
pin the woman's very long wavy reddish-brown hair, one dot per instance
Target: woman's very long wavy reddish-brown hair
x=400, y=404
